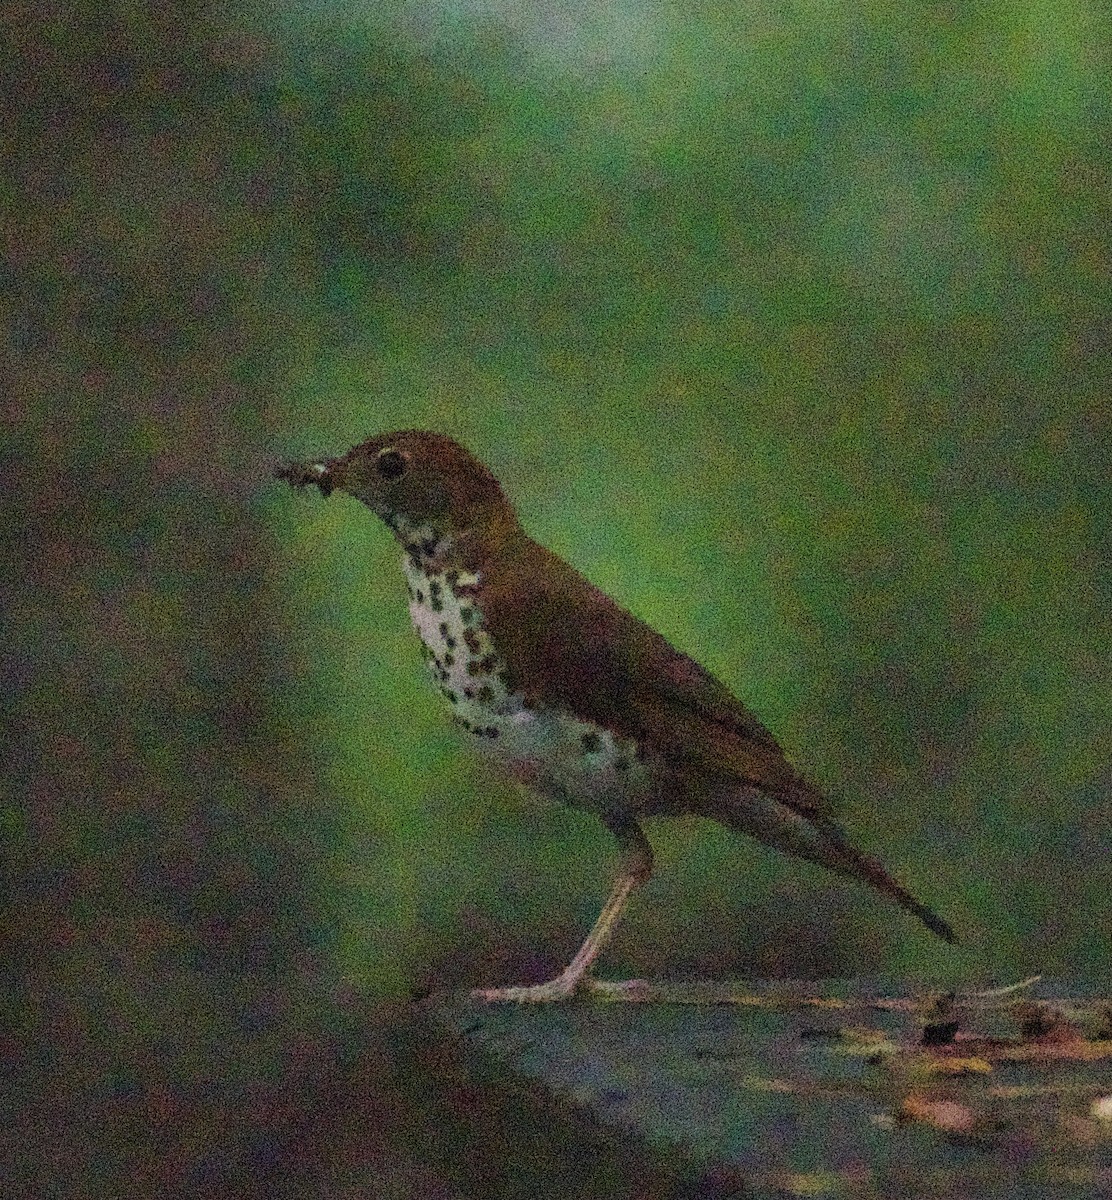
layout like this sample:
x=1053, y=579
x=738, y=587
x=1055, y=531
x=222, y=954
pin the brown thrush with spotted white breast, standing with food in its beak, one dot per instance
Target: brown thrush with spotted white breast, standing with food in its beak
x=572, y=694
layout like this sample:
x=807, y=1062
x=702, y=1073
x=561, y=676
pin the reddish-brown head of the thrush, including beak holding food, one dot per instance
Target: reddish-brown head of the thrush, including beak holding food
x=414, y=481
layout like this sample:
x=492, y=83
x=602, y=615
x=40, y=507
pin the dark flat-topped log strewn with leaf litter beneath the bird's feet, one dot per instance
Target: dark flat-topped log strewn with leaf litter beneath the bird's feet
x=827, y=1090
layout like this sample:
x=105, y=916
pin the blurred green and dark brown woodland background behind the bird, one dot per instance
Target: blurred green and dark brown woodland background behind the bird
x=788, y=326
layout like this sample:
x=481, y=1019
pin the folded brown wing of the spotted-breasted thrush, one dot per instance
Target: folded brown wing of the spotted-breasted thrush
x=568, y=644
